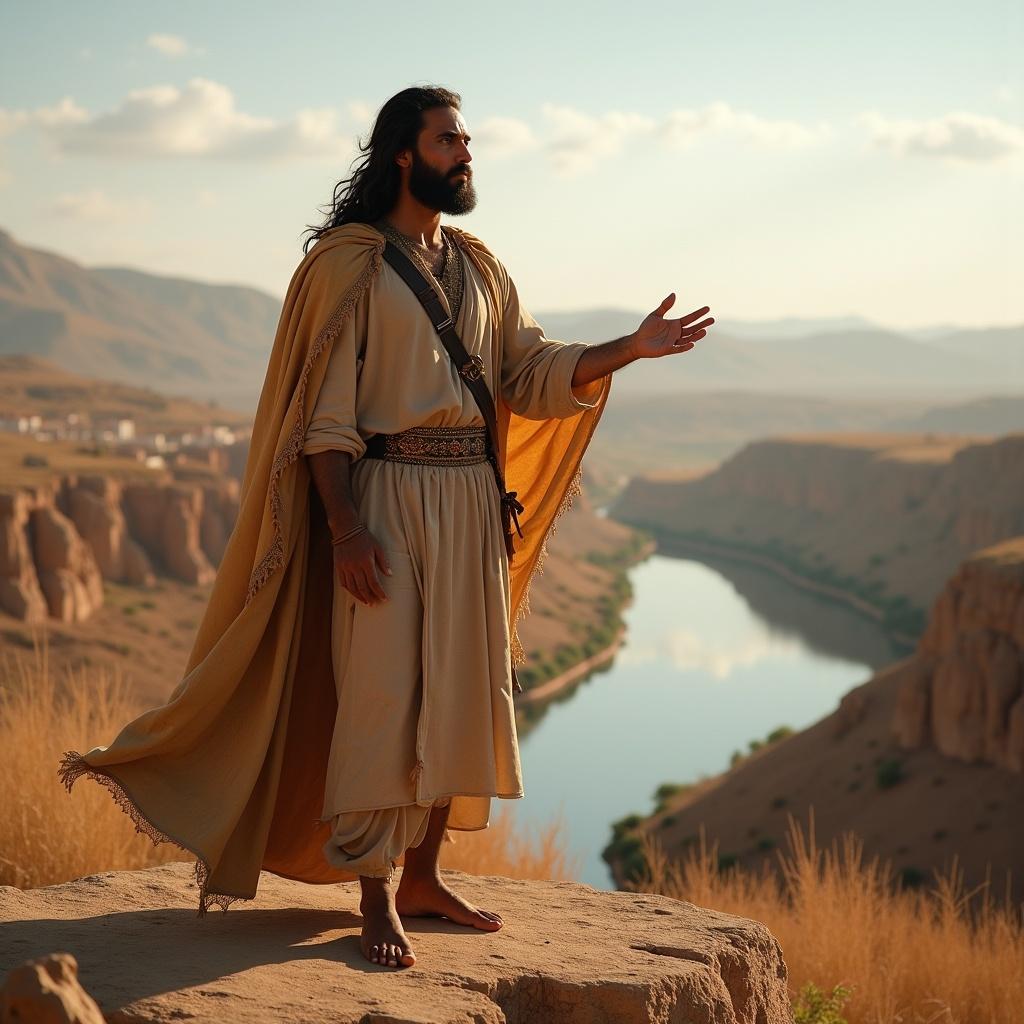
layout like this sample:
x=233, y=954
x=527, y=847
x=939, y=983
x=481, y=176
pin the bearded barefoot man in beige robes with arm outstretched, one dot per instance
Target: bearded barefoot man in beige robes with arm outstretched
x=323, y=748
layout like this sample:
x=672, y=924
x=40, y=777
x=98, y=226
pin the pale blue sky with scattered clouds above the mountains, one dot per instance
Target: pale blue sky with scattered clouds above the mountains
x=785, y=160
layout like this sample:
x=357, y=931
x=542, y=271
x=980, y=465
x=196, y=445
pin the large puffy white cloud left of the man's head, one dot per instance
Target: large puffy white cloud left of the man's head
x=200, y=120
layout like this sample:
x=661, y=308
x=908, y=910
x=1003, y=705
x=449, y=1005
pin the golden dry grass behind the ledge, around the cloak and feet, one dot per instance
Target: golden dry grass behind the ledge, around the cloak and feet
x=48, y=836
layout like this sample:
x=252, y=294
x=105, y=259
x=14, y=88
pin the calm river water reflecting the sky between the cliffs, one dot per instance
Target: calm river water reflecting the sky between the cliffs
x=716, y=655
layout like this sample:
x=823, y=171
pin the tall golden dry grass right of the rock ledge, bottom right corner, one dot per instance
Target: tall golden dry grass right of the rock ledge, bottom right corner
x=942, y=956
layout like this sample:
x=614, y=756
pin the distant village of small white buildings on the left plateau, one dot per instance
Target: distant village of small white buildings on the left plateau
x=119, y=436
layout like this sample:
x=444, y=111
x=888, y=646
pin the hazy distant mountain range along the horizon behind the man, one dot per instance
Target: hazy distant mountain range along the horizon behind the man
x=187, y=337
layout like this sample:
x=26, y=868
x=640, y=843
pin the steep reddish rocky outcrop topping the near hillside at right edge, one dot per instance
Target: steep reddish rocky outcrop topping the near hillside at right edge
x=964, y=694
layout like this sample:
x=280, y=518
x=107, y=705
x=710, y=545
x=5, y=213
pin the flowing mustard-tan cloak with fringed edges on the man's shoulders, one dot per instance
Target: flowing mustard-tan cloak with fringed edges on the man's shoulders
x=233, y=767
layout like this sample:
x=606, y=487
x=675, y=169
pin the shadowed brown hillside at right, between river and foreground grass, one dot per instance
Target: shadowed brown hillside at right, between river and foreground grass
x=924, y=761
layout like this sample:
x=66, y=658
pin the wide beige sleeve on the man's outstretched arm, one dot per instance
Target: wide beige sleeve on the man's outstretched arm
x=537, y=372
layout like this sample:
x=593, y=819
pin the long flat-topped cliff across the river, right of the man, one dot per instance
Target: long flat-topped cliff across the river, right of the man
x=884, y=518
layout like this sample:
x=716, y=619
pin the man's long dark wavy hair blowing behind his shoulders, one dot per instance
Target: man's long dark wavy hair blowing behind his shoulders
x=373, y=188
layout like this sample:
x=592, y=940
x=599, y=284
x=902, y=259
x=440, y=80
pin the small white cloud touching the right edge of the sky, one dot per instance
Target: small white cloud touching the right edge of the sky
x=958, y=136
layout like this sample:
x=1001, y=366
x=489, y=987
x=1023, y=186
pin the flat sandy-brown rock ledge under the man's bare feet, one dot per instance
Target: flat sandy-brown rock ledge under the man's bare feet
x=568, y=954
